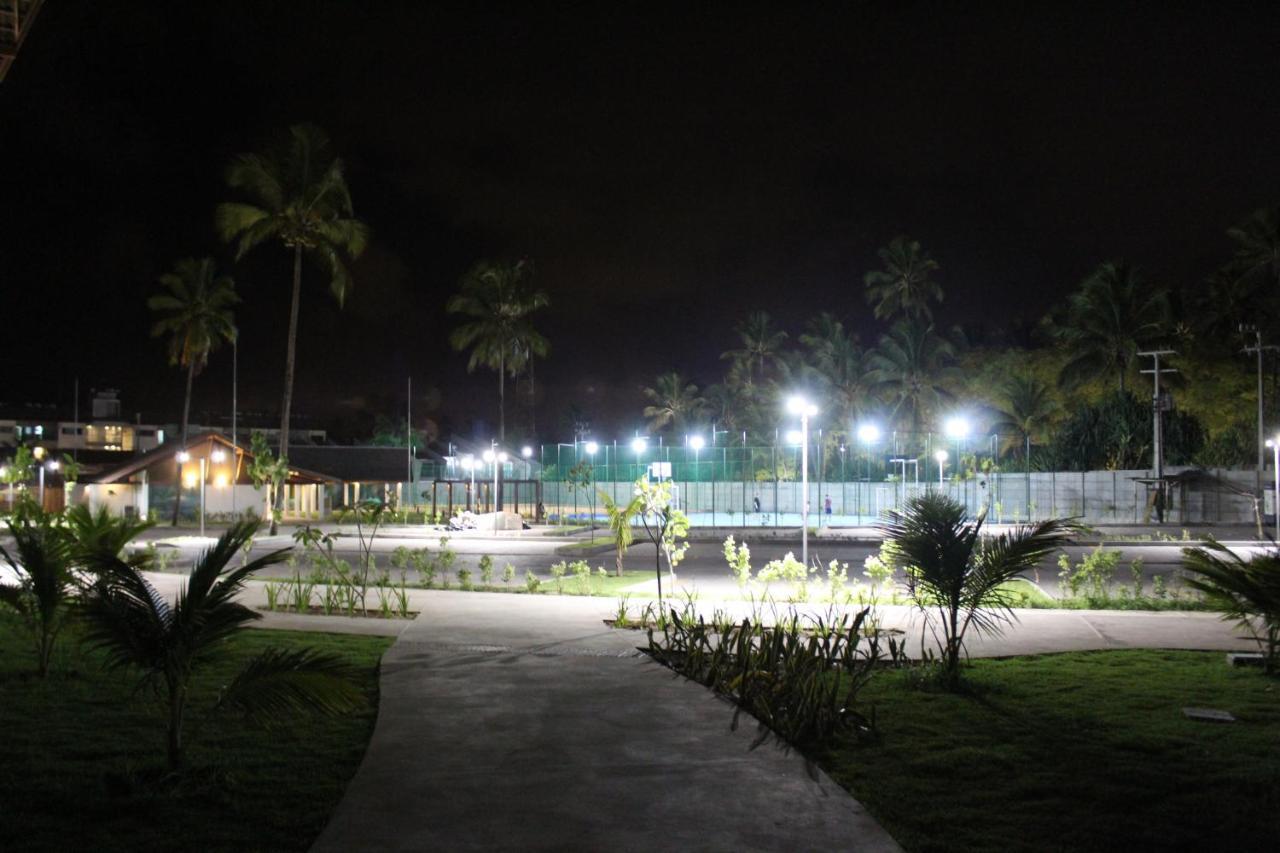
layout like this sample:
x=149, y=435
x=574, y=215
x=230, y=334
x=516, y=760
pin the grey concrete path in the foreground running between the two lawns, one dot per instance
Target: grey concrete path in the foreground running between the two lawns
x=520, y=723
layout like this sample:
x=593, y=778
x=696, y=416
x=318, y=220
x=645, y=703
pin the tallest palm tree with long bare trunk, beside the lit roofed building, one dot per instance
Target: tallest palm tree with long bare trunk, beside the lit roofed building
x=300, y=198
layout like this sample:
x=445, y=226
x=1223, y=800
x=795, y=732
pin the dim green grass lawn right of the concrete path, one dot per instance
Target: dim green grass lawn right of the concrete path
x=1081, y=751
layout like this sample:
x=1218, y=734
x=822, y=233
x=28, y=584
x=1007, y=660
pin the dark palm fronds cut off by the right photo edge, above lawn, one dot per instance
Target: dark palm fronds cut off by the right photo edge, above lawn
x=1247, y=591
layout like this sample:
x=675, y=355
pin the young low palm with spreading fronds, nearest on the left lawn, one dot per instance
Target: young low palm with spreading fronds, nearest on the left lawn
x=136, y=628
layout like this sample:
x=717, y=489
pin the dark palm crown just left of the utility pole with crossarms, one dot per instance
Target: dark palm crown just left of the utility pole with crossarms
x=1109, y=320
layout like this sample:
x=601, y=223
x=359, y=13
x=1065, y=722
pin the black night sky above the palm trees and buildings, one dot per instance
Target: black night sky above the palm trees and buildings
x=668, y=170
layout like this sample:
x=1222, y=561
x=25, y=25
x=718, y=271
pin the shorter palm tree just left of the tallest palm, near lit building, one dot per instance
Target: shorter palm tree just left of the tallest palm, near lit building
x=195, y=311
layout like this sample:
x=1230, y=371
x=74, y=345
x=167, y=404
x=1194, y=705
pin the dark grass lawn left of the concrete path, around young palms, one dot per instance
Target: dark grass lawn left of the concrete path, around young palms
x=83, y=755
